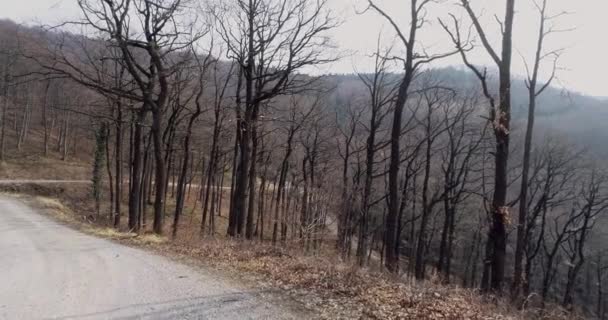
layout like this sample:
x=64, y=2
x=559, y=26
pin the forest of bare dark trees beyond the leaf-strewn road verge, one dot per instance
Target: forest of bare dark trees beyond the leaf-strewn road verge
x=206, y=115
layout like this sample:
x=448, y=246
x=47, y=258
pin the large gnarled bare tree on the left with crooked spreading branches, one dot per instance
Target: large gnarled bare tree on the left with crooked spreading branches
x=150, y=39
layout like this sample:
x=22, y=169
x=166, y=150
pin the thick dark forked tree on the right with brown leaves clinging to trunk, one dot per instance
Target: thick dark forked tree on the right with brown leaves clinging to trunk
x=500, y=117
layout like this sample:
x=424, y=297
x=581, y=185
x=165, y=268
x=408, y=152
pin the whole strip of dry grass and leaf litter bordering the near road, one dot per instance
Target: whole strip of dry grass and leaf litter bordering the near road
x=333, y=289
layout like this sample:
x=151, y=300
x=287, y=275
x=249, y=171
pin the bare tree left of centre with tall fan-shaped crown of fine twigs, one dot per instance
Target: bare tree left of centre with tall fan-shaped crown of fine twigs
x=270, y=41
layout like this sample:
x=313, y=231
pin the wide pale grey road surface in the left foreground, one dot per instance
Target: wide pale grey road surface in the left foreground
x=48, y=271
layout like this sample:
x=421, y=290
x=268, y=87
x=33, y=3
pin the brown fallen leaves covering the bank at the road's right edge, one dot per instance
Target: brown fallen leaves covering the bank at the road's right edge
x=340, y=291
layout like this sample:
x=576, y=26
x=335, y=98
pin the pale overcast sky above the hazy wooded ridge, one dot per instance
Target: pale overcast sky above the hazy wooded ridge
x=584, y=64
